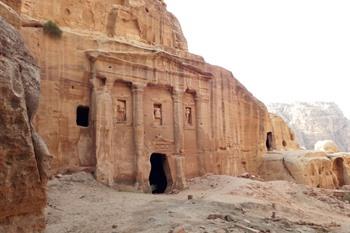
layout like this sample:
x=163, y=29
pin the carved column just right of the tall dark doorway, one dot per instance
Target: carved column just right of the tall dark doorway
x=179, y=138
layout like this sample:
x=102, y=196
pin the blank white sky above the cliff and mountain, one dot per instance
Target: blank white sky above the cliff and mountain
x=282, y=50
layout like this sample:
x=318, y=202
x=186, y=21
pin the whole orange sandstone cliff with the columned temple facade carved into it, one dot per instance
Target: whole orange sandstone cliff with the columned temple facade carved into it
x=120, y=93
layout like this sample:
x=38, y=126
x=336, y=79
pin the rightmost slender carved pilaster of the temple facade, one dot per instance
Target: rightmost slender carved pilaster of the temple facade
x=200, y=132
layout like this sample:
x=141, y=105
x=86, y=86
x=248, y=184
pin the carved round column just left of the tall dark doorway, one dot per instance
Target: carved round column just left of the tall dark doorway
x=139, y=131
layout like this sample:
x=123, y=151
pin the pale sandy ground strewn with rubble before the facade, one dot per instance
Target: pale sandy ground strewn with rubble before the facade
x=77, y=203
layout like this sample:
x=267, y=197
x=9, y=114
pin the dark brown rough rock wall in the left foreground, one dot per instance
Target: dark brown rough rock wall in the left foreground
x=23, y=155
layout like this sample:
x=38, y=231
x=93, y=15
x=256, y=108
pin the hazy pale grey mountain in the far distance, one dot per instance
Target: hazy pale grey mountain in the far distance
x=313, y=122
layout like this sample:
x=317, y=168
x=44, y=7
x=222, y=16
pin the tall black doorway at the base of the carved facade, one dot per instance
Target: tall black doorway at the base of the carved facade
x=157, y=177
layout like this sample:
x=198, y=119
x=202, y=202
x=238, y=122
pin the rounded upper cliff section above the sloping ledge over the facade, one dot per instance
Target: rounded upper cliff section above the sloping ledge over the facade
x=131, y=20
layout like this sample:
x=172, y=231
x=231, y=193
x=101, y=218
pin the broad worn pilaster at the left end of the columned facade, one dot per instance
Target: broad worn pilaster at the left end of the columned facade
x=103, y=125
